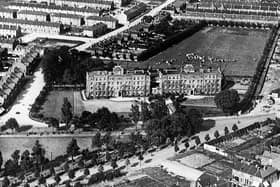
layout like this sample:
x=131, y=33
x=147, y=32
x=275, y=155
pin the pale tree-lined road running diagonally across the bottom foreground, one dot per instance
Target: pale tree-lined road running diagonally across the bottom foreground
x=157, y=158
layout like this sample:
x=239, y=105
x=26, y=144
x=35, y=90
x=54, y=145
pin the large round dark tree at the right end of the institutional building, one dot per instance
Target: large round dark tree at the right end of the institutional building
x=227, y=100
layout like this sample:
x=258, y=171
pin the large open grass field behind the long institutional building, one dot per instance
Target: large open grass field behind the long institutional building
x=240, y=46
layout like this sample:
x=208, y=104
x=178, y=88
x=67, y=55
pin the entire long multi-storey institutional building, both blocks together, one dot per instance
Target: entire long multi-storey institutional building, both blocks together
x=128, y=83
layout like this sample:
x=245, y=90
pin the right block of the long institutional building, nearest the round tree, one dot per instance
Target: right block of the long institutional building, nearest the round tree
x=189, y=81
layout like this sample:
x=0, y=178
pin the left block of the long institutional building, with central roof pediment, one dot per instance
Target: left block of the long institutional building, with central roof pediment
x=117, y=83
